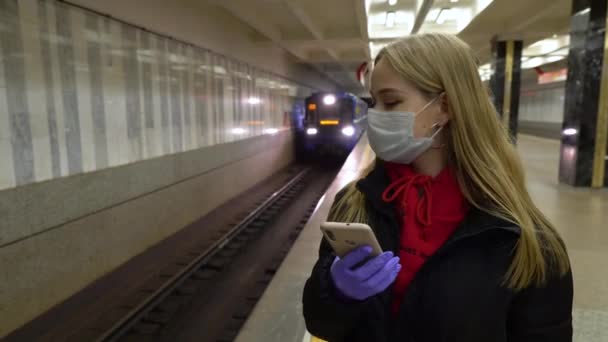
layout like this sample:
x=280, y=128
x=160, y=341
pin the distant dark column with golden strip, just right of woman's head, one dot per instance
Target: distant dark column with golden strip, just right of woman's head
x=506, y=81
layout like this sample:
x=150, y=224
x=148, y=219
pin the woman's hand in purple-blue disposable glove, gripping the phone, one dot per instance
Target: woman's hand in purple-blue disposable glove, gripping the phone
x=371, y=278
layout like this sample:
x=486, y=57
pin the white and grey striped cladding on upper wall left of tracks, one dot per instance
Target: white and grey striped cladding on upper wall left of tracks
x=81, y=92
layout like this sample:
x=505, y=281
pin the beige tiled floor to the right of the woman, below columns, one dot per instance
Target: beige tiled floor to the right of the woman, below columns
x=581, y=216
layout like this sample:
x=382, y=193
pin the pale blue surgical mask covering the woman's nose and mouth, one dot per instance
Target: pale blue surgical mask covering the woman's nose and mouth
x=391, y=135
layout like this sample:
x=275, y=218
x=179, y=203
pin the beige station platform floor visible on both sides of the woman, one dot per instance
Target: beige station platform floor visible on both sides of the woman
x=580, y=215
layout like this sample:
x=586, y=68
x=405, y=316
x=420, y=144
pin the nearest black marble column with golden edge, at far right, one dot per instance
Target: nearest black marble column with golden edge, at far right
x=583, y=148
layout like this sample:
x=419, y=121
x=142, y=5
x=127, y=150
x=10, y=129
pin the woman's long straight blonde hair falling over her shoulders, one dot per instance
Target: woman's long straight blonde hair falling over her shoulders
x=485, y=161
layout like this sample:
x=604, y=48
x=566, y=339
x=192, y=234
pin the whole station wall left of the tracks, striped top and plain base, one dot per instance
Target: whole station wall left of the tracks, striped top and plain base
x=114, y=137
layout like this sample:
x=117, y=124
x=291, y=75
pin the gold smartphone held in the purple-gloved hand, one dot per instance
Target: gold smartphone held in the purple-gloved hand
x=344, y=237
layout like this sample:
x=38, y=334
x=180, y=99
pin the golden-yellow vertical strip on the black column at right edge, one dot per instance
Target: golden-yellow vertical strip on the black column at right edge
x=601, y=128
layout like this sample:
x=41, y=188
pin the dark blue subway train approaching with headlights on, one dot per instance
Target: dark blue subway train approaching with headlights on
x=332, y=123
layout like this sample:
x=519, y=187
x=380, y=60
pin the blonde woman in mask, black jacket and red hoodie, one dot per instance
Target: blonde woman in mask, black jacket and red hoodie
x=468, y=256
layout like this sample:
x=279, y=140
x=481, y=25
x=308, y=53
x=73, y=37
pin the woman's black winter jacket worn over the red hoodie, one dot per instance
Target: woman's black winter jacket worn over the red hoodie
x=456, y=296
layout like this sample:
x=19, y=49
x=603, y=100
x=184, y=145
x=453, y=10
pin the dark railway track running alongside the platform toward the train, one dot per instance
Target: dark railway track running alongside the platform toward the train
x=158, y=311
